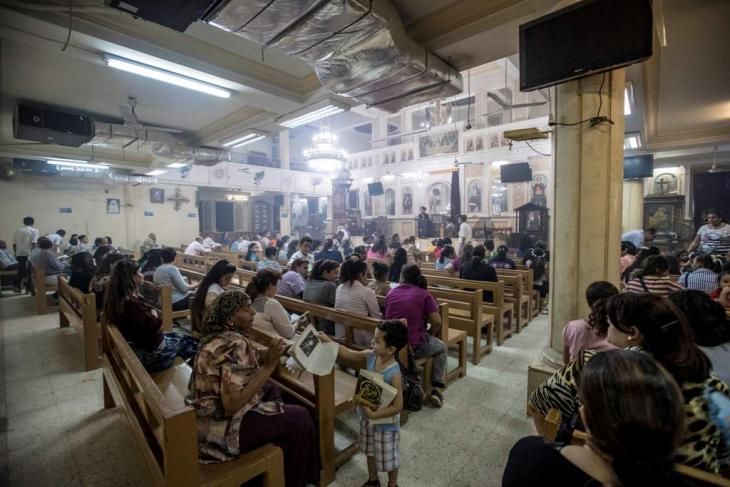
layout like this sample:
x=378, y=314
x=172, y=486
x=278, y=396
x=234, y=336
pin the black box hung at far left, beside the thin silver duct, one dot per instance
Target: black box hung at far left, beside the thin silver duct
x=51, y=126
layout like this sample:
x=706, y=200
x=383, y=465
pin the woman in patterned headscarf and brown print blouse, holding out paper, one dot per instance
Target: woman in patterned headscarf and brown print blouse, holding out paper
x=237, y=410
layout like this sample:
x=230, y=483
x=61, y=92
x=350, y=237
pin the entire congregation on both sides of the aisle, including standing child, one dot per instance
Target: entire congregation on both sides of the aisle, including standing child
x=660, y=345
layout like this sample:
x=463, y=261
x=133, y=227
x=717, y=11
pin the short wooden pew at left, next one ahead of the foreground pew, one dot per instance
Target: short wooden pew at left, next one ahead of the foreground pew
x=79, y=309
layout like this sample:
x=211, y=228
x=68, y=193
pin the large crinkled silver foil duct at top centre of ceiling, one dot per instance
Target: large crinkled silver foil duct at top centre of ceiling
x=358, y=48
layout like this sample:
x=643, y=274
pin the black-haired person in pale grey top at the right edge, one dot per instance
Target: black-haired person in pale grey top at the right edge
x=710, y=328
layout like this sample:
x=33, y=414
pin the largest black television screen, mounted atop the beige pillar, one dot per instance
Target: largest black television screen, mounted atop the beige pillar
x=585, y=38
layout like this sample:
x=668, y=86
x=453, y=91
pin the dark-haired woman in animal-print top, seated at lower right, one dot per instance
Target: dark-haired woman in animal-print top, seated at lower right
x=652, y=324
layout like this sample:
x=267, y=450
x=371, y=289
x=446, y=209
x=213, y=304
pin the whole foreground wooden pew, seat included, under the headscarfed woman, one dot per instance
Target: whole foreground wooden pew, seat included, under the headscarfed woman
x=165, y=427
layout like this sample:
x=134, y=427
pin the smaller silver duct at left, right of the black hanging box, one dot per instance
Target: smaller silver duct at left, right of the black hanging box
x=165, y=147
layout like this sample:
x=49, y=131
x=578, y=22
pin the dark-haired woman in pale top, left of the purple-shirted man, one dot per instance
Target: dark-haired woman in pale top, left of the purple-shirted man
x=354, y=296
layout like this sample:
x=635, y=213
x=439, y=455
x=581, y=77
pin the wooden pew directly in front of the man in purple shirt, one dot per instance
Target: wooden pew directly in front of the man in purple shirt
x=466, y=313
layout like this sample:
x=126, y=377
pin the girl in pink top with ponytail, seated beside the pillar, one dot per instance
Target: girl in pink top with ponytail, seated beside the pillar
x=578, y=334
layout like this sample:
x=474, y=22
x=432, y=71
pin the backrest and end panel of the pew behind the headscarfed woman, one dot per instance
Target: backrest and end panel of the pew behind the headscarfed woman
x=164, y=428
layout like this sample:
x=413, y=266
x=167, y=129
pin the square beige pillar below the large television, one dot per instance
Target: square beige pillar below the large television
x=588, y=175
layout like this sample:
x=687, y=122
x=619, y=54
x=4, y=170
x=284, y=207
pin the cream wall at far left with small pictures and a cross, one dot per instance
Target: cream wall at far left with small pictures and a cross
x=41, y=198
